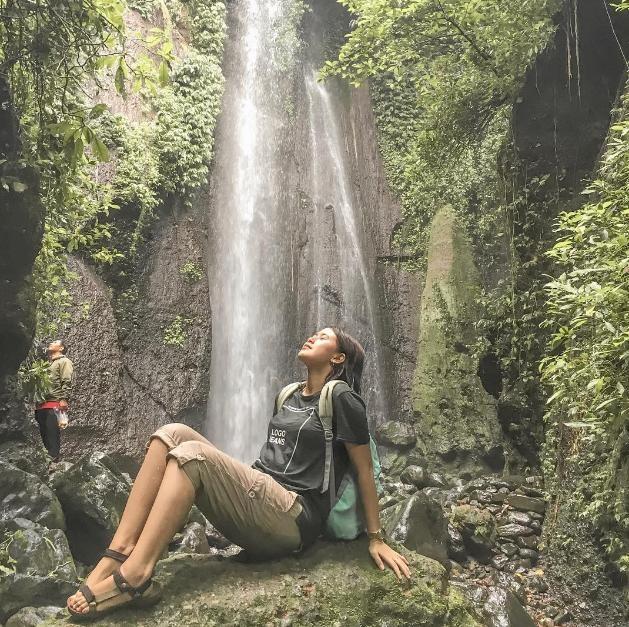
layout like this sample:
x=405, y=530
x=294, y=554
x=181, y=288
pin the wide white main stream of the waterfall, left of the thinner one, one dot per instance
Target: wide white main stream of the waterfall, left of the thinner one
x=248, y=250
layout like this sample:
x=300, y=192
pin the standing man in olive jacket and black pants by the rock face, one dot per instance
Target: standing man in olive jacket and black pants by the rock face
x=60, y=377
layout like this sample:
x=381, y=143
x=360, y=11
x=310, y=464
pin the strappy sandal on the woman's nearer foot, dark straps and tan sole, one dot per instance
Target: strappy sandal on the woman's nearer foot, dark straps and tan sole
x=144, y=595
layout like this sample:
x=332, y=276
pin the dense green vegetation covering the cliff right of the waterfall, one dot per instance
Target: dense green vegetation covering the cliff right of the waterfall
x=445, y=76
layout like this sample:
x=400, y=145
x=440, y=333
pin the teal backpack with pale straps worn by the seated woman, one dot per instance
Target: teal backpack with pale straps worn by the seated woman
x=346, y=520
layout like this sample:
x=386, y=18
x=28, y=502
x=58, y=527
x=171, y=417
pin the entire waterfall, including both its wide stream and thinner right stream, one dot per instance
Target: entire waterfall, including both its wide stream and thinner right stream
x=258, y=173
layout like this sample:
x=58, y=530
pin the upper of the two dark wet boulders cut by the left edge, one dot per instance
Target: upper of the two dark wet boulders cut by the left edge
x=23, y=495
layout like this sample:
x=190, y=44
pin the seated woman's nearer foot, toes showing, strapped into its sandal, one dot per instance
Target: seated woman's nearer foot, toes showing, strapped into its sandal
x=110, y=593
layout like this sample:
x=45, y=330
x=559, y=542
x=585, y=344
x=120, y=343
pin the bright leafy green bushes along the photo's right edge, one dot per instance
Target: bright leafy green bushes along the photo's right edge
x=587, y=365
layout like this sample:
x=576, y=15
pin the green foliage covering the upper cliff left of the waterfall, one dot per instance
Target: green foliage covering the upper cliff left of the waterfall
x=106, y=216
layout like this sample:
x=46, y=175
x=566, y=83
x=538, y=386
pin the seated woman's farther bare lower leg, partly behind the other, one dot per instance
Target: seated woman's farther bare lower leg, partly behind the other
x=136, y=511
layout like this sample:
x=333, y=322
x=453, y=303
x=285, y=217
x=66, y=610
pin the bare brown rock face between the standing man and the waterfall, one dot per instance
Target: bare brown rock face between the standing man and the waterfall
x=128, y=381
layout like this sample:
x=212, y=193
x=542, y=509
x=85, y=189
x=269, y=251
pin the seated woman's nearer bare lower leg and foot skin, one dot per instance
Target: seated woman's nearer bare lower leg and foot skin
x=170, y=508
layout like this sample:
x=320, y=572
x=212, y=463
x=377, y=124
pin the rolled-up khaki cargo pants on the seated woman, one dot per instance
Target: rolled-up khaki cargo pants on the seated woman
x=247, y=506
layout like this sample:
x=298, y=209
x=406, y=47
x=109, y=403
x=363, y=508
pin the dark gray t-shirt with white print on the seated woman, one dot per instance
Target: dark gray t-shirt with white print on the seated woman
x=294, y=452
